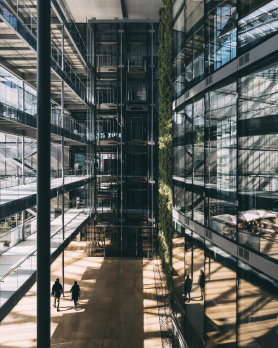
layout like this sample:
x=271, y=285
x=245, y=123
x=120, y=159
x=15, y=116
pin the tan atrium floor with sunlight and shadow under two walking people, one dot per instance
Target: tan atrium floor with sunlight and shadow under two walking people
x=117, y=307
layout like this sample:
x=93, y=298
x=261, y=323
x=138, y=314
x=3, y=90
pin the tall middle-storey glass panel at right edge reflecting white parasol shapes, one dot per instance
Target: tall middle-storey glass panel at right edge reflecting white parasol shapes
x=257, y=162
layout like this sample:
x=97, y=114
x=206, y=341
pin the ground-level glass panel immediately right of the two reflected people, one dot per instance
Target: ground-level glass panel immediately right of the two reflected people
x=220, y=298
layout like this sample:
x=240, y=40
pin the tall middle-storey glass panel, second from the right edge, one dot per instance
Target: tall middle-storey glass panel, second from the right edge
x=221, y=133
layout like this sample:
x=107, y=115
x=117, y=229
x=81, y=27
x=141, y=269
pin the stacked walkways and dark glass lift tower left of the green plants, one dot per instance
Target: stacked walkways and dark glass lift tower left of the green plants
x=104, y=112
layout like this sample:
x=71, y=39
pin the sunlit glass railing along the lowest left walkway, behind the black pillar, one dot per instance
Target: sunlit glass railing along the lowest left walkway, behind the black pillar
x=21, y=272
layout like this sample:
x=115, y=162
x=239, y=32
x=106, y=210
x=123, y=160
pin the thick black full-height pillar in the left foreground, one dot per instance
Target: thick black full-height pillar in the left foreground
x=43, y=173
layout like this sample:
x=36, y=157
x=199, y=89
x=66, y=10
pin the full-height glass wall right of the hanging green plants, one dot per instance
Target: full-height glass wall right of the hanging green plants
x=225, y=173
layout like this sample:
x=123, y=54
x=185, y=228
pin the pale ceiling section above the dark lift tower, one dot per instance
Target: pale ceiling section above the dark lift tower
x=83, y=10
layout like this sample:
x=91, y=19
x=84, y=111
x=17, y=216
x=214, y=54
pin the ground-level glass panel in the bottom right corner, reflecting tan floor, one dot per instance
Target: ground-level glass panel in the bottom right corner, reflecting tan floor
x=257, y=309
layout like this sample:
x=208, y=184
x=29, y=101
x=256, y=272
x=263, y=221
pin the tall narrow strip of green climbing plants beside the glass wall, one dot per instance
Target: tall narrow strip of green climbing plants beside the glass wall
x=165, y=139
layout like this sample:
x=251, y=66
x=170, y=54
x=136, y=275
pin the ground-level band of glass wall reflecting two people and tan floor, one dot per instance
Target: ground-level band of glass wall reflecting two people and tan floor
x=230, y=303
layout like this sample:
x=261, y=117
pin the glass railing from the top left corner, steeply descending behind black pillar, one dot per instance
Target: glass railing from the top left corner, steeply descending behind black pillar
x=28, y=17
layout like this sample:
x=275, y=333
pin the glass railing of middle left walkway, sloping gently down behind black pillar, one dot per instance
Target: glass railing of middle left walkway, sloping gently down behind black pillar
x=57, y=118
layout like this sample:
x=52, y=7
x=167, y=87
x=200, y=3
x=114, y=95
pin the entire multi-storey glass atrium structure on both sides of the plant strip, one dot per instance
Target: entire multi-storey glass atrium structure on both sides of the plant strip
x=104, y=153
